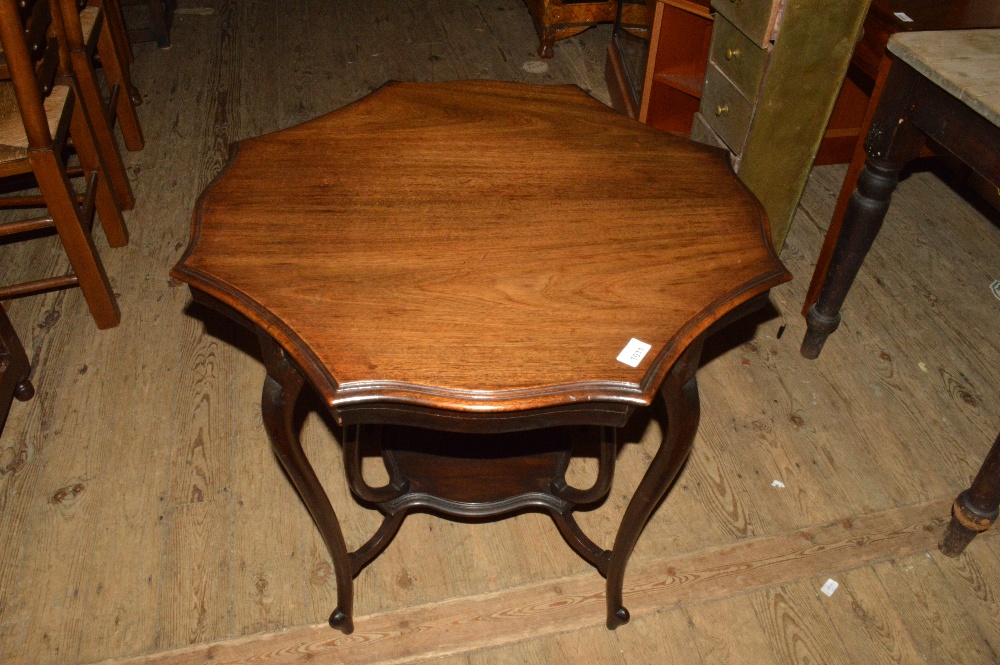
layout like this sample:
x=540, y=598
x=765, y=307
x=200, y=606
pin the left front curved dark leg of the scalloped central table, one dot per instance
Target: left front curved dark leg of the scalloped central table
x=281, y=390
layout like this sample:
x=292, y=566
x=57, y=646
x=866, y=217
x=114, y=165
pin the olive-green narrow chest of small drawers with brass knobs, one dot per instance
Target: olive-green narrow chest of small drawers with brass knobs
x=774, y=72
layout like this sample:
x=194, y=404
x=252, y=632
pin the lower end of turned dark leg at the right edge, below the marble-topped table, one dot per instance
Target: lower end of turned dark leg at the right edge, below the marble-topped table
x=976, y=508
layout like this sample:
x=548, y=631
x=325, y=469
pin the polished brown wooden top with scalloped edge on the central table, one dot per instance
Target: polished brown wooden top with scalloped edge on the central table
x=479, y=246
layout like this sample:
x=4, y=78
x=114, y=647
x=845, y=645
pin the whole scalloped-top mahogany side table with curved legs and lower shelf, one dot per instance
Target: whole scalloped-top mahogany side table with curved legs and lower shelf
x=466, y=272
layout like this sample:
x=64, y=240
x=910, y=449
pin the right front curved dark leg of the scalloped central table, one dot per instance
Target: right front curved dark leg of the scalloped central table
x=680, y=392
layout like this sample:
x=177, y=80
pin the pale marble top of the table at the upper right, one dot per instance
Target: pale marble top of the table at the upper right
x=966, y=63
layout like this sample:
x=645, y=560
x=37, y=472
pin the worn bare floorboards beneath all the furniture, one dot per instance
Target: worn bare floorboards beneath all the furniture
x=143, y=518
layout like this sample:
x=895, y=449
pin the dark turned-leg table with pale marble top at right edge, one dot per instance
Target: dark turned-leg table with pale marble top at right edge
x=943, y=86
